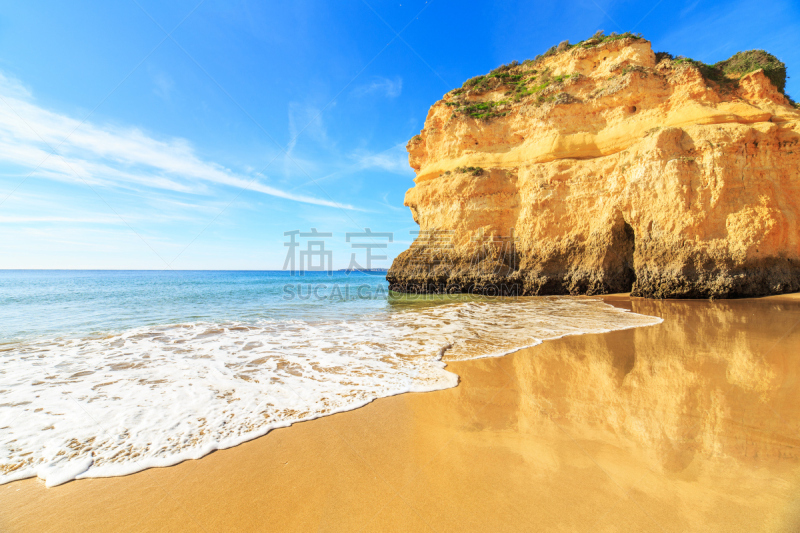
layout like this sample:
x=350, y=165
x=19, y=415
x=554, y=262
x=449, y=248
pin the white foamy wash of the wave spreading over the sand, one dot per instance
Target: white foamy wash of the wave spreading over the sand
x=155, y=396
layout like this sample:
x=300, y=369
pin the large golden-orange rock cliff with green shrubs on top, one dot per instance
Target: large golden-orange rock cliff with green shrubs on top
x=600, y=169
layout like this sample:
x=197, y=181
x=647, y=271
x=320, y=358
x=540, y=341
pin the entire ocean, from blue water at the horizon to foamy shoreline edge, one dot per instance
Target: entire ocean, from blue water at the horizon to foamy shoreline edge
x=106, y=373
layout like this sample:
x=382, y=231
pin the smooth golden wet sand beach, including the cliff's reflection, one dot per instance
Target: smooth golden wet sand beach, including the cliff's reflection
x=690, y=425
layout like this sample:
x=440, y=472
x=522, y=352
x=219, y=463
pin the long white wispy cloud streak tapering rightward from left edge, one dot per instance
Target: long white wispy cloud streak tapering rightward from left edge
x=112, y=156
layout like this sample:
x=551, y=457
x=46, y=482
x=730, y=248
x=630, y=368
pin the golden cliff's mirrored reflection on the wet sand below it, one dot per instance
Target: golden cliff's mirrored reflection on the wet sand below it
x=714, y=380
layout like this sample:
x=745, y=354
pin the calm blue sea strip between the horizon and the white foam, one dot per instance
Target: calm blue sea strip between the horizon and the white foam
x=37, y=303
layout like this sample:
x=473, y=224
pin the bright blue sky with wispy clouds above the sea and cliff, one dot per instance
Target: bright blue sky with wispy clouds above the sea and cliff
x=192, y=135
